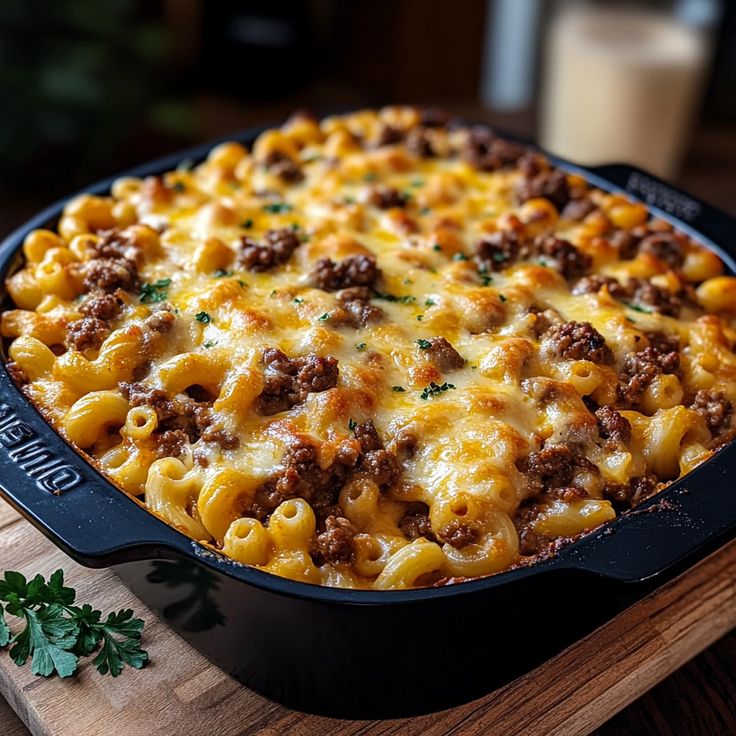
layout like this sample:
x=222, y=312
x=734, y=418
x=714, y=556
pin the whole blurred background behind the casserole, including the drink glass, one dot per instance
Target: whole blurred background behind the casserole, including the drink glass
x=89, y=87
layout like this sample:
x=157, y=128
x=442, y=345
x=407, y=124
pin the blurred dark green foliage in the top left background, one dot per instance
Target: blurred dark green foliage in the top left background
x=75, y=76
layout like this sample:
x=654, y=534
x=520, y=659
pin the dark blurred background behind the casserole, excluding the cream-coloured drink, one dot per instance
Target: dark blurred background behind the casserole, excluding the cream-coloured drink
x=93, y=86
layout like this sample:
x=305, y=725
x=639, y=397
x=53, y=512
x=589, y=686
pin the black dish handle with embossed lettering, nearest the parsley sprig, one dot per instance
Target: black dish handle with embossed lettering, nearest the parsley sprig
x=66, y=498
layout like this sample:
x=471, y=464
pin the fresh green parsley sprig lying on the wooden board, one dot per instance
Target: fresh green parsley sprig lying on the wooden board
x=57, y=633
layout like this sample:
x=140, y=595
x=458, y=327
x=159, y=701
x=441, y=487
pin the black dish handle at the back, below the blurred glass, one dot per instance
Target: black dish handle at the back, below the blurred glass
x=704, y=219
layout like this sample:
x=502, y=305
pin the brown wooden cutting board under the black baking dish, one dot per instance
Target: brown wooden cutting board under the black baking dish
x=180, y=692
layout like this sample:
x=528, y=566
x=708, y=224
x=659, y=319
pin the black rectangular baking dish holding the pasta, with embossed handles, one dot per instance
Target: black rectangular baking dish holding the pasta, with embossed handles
x=355, y=653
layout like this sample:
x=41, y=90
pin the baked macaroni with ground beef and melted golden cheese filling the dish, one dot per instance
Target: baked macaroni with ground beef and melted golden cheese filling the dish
x=376, y=351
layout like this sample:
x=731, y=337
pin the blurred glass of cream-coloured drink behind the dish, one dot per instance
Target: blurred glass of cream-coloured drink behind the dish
x=621, y=85
